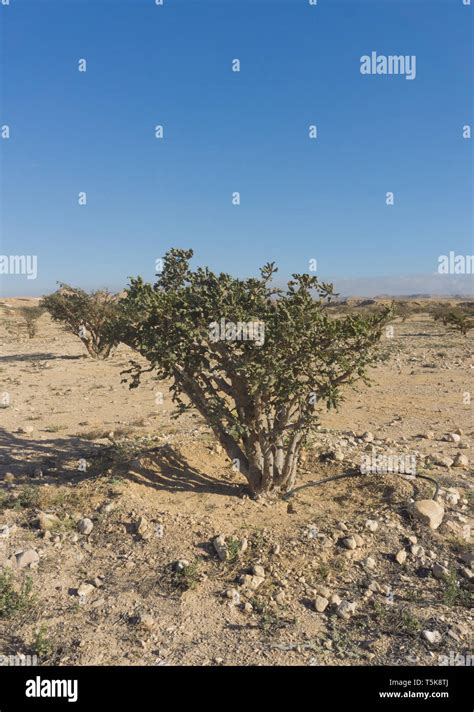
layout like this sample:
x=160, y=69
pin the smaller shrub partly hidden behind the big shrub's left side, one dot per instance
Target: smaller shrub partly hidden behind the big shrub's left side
x=94, y=317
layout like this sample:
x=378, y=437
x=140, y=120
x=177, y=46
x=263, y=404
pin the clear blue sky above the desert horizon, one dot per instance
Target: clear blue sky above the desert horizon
x=226, y=131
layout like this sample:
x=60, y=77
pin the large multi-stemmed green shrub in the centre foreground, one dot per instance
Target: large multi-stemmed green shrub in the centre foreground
x=255, y=360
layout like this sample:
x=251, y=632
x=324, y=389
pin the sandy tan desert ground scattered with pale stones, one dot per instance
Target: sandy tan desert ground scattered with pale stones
x=109, y=509
